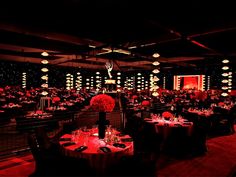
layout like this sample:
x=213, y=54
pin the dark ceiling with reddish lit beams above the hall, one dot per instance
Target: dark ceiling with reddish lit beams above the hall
x=86, y=33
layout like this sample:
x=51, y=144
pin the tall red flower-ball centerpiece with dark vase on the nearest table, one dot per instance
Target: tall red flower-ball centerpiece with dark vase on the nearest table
x=102, y=103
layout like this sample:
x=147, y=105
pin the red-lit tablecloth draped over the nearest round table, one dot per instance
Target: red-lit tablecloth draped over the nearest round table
x=97, y=158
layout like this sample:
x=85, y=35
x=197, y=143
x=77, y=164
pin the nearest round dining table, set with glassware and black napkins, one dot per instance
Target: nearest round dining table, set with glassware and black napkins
x=100, y=153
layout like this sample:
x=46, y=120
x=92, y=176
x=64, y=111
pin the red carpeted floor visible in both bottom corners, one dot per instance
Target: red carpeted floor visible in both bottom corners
x=220, y=161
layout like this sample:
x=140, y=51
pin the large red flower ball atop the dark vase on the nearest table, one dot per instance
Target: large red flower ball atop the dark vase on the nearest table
x=102, y=103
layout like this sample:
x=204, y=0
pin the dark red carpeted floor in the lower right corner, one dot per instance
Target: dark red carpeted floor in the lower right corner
x=220, y=161
